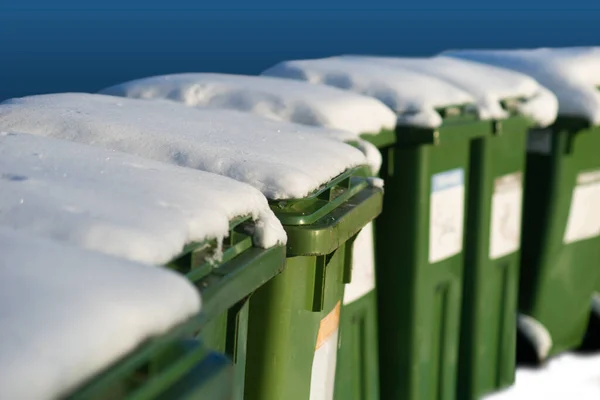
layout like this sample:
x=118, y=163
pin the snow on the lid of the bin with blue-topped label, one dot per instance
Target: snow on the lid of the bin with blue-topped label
x=414, y=96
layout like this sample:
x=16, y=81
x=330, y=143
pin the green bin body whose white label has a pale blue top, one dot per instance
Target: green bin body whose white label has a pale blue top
x=420, y=258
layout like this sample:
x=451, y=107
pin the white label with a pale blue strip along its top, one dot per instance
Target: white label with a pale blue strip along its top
x=446, y=214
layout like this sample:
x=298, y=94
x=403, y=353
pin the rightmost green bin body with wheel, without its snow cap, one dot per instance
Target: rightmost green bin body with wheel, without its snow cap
x=561, y=242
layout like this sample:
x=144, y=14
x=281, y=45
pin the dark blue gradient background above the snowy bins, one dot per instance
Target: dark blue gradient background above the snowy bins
x=63, y=49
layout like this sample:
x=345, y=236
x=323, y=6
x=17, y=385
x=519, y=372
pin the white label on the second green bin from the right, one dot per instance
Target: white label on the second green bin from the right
x=505, y=224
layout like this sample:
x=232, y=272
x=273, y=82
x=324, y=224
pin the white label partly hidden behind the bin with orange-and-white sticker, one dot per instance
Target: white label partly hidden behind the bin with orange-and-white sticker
x=363, y=266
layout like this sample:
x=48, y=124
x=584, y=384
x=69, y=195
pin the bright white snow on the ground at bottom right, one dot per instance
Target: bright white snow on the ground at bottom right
x=568, y=376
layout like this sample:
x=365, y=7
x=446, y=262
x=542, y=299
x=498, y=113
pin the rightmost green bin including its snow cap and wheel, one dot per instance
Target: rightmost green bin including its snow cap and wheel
x=561, y=230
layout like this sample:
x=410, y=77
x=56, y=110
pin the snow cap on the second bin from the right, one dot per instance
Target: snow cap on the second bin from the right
x=489, y=85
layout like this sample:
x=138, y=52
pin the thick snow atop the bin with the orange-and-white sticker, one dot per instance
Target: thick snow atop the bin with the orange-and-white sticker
x=282, y=160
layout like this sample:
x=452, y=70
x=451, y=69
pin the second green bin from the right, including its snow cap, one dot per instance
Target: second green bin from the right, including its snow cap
x=488, y=327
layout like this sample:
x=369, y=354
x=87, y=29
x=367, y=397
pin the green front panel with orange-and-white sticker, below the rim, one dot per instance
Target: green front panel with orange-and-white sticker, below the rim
x=290, y=342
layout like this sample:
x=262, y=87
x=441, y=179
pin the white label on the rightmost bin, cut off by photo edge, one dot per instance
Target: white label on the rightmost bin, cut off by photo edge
x=584, y=215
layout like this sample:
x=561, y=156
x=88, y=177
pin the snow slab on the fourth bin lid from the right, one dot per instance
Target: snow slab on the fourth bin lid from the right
x=275, y=98
